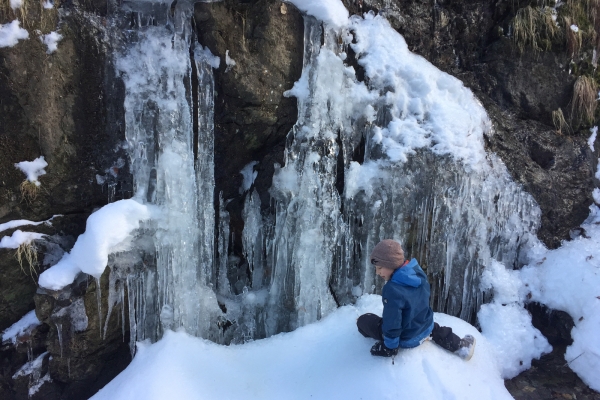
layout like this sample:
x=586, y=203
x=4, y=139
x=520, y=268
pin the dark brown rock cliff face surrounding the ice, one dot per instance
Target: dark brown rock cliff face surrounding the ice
x=67, y=106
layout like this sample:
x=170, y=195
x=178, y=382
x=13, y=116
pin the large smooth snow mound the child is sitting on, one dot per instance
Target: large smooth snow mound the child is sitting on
x=328, y=359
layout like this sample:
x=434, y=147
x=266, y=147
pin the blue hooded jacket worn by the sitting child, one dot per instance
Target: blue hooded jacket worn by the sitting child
x=407, y=317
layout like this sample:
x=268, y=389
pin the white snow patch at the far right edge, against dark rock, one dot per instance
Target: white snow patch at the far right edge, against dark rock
x=568, y=279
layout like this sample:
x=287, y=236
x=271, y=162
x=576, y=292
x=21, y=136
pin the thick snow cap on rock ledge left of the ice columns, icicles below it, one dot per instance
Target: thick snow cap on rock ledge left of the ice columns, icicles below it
x=108, y=230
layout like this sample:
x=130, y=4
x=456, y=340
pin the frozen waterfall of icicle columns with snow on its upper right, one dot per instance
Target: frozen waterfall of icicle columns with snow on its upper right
x=398, y=155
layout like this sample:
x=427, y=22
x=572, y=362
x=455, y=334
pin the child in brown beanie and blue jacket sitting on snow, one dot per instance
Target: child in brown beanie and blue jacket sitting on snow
x=407, y=318
